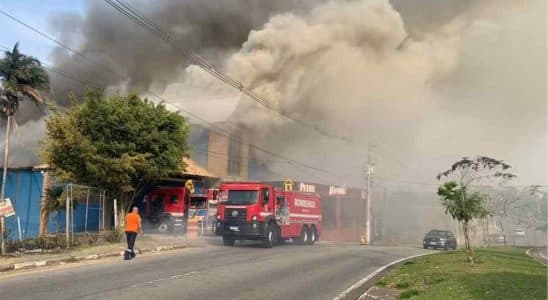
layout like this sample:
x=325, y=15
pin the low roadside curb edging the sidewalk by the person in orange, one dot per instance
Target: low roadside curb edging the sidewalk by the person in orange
x=74, y=259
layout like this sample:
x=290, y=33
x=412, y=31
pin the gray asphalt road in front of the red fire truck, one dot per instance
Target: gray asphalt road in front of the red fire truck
x=212, y=272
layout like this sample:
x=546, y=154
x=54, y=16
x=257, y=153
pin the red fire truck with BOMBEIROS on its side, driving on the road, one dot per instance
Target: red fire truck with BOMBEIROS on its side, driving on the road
x=260, y=211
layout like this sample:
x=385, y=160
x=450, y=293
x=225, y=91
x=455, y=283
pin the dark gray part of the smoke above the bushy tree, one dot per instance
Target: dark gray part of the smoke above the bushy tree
x=121, y=53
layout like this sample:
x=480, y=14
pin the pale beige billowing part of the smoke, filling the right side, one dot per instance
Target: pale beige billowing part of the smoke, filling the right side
x=423, y=96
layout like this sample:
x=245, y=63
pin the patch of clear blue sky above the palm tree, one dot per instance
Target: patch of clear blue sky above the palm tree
x=37, y=14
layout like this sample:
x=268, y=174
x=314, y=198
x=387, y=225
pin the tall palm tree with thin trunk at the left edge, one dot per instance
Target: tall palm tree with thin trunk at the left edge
x=21, y=78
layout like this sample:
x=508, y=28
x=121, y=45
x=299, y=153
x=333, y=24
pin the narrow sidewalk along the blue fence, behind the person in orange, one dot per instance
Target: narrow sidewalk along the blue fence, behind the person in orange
x=146, y=243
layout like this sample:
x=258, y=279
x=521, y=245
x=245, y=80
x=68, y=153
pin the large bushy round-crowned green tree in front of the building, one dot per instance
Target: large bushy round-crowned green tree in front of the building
x=119, y=143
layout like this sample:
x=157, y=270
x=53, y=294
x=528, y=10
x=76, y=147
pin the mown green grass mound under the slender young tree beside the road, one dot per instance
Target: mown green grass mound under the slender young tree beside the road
x=499, y=273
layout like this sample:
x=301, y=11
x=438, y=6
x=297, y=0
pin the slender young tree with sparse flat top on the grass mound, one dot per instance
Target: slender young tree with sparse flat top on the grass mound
x=462, y=204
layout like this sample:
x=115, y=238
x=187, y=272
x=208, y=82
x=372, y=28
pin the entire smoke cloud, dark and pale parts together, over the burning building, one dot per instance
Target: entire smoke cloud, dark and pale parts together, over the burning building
x=425, y=82
